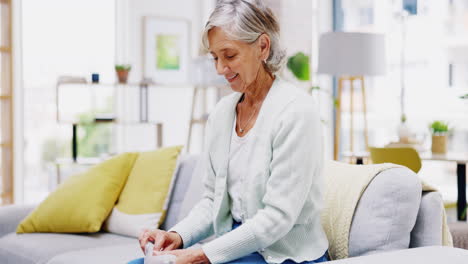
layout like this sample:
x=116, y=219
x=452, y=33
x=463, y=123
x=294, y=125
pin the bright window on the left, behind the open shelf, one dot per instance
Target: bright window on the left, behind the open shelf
x=59, y=38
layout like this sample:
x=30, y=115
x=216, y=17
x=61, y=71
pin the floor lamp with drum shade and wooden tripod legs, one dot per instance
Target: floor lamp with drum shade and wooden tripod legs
x=350, y=56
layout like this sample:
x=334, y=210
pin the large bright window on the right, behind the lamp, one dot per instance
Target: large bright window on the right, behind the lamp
x=428, y=54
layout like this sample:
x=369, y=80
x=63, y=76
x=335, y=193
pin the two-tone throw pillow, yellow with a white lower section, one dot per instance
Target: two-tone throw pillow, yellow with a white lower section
x=143, y=201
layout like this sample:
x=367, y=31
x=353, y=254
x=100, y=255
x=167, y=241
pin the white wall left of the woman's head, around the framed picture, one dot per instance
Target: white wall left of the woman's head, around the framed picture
x=170, y=105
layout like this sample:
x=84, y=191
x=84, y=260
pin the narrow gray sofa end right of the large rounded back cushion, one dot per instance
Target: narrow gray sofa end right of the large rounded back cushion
x=428, y=228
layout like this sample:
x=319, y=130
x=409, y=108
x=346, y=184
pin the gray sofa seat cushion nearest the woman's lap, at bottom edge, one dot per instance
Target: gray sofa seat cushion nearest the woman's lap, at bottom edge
x=103, y=255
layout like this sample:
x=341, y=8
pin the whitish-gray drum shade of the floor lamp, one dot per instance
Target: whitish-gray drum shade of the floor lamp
x=352, y=53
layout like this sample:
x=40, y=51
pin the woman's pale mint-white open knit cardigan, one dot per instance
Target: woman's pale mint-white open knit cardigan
x=283, y=189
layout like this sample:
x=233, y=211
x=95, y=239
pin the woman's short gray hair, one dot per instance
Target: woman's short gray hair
x=247, y=20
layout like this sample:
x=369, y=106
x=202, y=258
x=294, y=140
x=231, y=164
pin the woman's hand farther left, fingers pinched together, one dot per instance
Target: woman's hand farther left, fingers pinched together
x=163, y=241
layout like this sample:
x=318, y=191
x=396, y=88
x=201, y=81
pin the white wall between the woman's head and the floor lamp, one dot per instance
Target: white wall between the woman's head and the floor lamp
x=302, y=22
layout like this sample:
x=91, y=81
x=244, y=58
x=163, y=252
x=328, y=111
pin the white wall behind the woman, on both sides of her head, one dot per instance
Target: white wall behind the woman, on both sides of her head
x=301, y=23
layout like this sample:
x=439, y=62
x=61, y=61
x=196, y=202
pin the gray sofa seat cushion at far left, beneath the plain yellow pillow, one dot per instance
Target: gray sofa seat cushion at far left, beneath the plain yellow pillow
x=39, y=248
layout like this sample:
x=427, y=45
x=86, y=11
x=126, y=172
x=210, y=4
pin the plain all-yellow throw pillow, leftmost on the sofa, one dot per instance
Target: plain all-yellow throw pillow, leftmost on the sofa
x=82, y=202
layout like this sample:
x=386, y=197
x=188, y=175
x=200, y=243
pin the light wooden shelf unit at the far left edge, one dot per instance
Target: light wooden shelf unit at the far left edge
x=6, y=104
